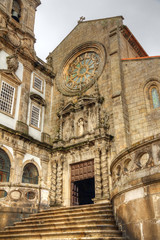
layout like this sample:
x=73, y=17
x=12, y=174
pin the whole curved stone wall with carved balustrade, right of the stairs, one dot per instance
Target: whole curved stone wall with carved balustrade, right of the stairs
x=136, y=190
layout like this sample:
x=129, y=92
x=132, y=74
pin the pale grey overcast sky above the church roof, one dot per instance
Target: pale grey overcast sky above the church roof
x=56, y=18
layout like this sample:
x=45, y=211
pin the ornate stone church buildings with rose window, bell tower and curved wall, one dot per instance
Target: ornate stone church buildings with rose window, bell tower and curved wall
x=82, y=128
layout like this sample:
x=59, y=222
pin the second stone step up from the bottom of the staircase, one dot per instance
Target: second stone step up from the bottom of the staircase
x=54, y=228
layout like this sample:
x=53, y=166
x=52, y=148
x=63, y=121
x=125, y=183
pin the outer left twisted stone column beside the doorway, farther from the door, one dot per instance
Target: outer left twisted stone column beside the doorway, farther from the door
x=53, y=183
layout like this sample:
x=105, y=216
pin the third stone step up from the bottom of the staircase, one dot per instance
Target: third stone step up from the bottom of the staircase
x=87, y=222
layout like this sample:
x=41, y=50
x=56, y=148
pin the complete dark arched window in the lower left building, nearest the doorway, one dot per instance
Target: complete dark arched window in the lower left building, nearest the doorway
x=30, y=174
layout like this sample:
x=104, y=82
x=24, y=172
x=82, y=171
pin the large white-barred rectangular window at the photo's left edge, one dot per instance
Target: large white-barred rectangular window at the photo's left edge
x=6, y=98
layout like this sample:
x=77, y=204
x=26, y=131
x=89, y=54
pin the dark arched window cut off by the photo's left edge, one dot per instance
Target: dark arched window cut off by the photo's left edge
x=4, y=166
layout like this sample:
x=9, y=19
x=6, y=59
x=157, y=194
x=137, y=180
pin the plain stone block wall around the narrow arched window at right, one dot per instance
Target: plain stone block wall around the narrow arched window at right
x=143, y=118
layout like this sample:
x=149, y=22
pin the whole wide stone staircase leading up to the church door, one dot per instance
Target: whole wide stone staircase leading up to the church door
x=87, y=222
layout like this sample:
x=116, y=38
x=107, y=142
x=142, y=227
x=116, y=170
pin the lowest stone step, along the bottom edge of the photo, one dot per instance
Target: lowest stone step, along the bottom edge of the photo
x=60, y=235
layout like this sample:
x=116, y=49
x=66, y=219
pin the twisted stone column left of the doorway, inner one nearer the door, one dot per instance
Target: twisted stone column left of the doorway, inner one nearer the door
x=59, y=192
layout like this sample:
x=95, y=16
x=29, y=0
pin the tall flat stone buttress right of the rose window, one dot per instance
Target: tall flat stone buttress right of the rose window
x=120, y=111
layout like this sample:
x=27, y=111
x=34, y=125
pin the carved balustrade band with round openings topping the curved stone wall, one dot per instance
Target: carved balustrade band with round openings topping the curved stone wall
x=136, y=166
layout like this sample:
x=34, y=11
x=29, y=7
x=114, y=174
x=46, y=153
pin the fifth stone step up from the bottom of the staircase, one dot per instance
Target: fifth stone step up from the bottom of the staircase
x=59, y=214
